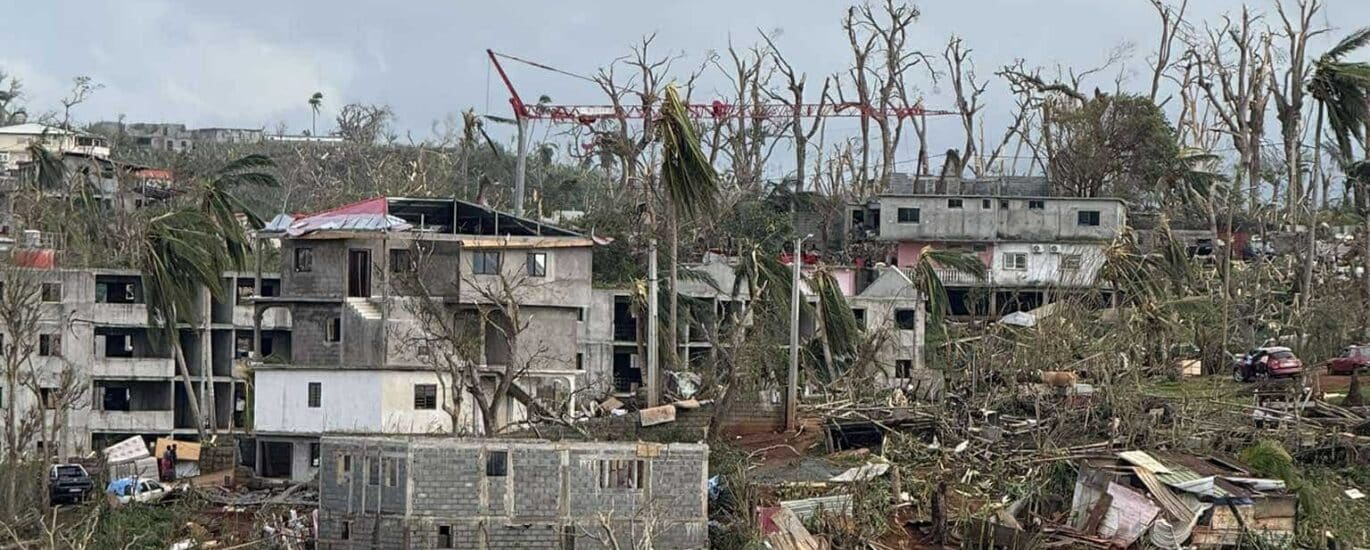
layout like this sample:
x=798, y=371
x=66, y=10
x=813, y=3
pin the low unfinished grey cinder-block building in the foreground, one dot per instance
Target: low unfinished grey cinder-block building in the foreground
x=442, y=493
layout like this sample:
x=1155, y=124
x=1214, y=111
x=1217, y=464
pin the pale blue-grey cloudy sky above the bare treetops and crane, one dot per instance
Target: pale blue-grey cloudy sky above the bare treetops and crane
x=254, y=64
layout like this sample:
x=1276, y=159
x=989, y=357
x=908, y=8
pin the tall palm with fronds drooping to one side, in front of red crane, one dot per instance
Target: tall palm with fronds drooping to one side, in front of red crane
x=690, y=184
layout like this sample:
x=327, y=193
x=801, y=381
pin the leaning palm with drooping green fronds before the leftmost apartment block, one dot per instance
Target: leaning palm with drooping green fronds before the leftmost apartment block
x=186, y=250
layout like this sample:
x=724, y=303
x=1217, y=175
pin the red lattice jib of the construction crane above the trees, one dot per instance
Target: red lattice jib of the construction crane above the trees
x=717, y=110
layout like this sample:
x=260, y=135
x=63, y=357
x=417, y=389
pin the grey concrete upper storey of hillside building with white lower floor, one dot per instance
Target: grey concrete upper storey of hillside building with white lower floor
x=1006, y=219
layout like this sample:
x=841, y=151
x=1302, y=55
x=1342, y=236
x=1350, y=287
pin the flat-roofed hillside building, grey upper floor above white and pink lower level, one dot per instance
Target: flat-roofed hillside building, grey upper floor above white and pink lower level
x=1035, y=246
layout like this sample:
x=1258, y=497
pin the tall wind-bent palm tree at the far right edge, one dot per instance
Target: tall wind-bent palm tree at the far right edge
x=1342, y=91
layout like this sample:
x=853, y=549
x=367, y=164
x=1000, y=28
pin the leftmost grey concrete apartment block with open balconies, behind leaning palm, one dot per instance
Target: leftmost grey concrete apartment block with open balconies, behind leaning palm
x=95, y=326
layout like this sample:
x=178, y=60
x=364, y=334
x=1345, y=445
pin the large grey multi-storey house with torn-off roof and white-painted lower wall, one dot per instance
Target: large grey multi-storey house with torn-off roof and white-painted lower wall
x=360, y=363
